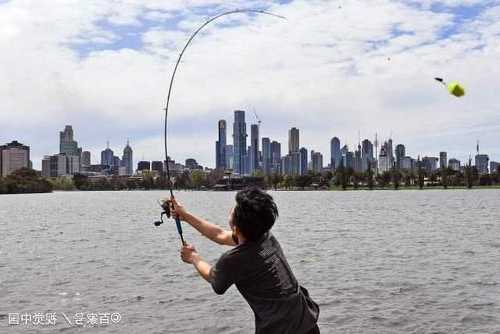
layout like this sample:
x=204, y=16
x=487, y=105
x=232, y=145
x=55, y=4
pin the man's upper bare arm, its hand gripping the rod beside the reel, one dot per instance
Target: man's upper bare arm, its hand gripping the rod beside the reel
x=209, y=230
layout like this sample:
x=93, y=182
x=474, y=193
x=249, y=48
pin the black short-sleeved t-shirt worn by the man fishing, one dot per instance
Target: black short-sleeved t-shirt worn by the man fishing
x=262, y=275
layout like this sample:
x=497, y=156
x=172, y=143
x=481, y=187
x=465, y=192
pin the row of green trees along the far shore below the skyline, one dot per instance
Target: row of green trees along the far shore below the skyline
x=29, y=181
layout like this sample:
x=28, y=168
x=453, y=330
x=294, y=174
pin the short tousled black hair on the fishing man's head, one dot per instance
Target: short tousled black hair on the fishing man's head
x=255, y=212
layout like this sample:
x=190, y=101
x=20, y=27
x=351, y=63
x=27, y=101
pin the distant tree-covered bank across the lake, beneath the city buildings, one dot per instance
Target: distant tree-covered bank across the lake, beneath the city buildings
x=29, y=181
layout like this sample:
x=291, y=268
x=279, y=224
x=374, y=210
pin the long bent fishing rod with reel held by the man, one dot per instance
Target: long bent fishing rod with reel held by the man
x=166, y=205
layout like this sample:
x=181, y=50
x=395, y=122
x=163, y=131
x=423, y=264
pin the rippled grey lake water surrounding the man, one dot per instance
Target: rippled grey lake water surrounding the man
x=376, y=262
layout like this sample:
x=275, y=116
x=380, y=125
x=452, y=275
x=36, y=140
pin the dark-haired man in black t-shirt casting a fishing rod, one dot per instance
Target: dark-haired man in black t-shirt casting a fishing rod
x=256, y=265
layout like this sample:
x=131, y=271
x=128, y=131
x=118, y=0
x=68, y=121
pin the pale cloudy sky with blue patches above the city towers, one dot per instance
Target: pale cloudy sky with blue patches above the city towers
x=333, y=68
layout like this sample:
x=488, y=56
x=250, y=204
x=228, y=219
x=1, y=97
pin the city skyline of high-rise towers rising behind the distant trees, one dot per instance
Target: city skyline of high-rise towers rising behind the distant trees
x=357, y=156
